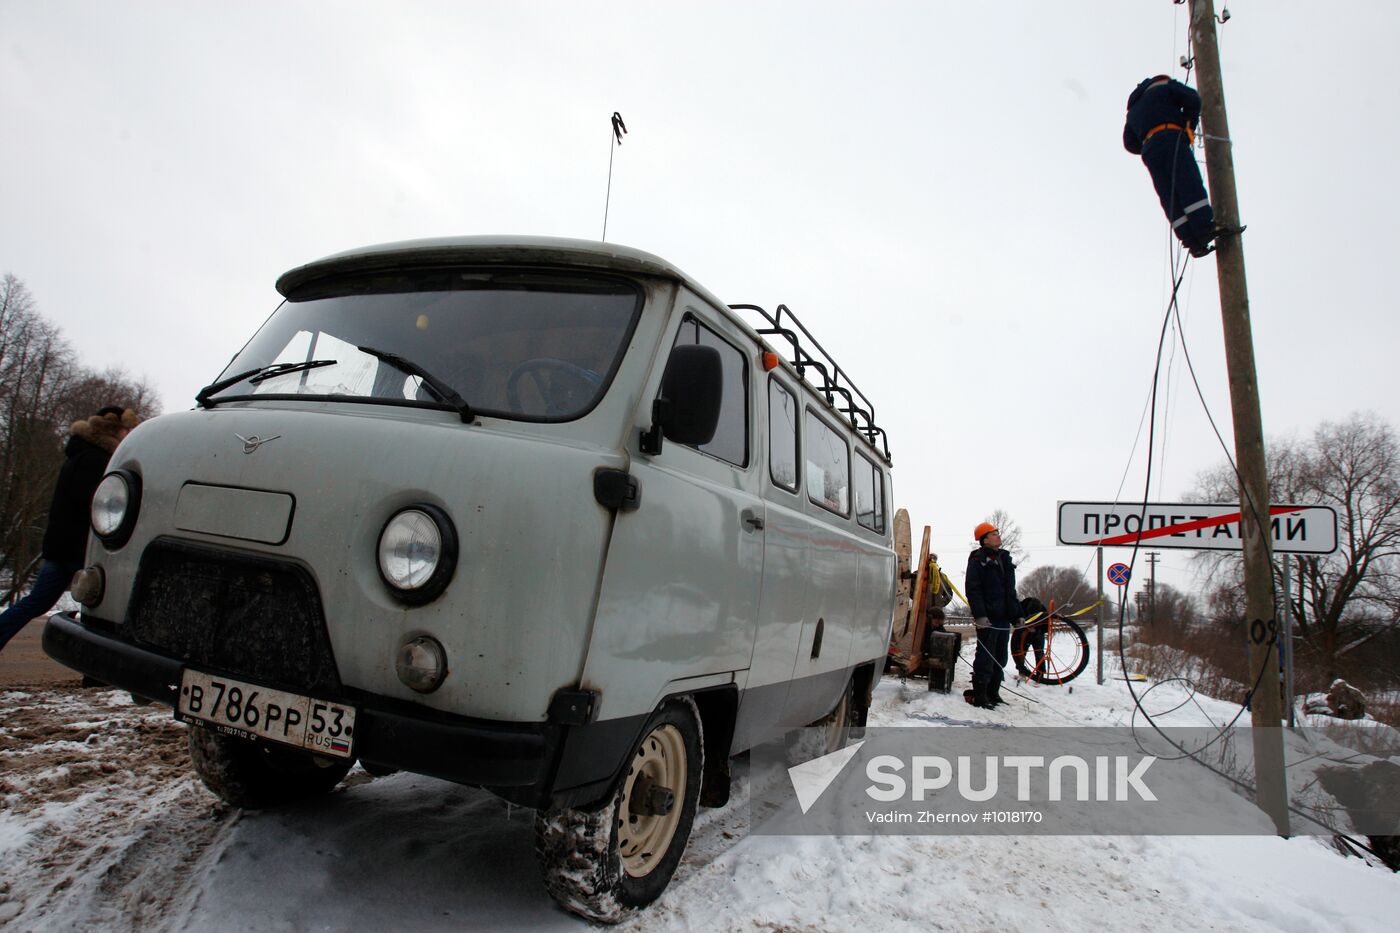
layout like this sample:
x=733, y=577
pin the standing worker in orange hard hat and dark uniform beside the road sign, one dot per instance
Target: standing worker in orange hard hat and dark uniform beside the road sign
x=992, y=595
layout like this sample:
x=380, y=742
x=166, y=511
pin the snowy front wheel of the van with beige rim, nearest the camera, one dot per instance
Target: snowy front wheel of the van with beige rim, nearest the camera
x=607, y=864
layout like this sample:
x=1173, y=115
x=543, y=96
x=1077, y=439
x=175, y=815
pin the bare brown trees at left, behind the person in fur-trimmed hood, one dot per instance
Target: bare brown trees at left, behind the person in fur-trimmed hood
x=43, y=392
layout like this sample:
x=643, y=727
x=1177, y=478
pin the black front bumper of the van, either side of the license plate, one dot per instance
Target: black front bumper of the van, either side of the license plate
x=514, y=759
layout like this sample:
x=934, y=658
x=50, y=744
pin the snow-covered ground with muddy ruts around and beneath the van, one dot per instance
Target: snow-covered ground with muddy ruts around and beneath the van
x=104, y=829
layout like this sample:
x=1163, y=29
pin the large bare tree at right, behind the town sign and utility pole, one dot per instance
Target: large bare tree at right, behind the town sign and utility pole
x=1340, y=602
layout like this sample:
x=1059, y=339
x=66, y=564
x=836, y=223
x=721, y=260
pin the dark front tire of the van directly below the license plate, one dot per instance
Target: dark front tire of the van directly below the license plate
x=255, y=777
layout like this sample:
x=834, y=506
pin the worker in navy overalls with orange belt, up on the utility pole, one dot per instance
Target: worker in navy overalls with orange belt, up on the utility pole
x=1161, y=127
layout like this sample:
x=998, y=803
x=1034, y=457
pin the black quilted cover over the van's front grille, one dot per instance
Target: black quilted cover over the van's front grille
x=236, y=614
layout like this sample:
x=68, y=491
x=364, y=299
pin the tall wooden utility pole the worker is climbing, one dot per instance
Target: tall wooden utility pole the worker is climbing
x=1249, y=432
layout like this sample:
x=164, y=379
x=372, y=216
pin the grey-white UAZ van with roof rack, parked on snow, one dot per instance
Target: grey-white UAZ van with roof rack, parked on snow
x=541, y=516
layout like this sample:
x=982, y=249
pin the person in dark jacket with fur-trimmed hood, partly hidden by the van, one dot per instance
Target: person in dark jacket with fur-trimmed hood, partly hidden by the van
x=65, y=541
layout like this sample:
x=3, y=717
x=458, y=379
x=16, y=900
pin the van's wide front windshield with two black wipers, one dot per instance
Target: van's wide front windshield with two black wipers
x=521, y=345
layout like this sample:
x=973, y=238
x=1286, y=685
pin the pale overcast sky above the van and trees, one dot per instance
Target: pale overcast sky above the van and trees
x=939, y=190
